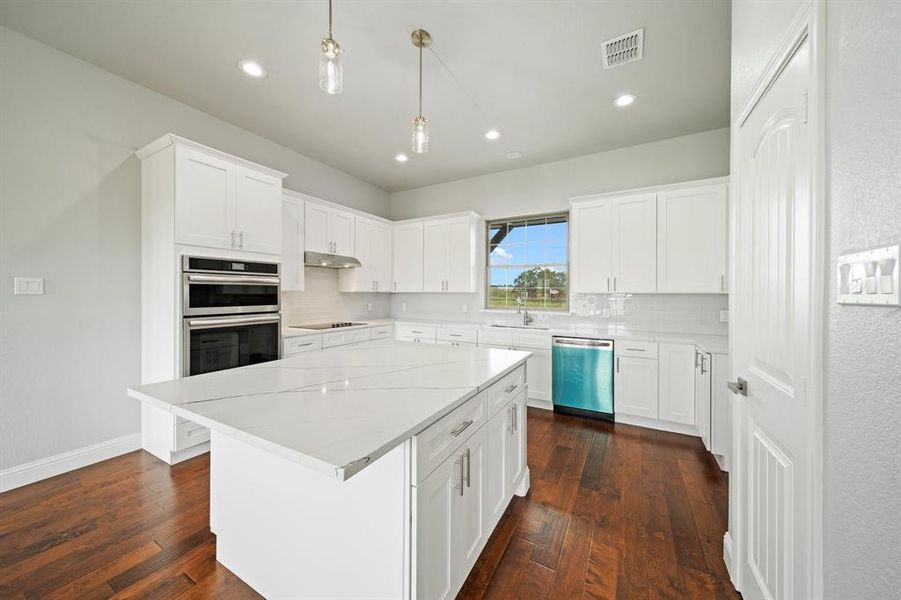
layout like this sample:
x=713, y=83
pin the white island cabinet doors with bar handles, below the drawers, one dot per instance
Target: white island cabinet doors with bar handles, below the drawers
x=457, y=506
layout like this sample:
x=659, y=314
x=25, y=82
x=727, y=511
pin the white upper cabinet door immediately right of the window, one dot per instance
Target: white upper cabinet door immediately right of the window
x=592, y=257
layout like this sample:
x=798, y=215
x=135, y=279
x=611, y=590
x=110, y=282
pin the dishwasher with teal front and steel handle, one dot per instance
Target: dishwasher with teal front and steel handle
x=583, y=376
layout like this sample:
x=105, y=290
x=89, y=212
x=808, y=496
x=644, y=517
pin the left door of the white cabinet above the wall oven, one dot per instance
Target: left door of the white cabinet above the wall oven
x=204, y=200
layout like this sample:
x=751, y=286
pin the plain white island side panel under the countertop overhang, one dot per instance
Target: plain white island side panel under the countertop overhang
x=290, y=532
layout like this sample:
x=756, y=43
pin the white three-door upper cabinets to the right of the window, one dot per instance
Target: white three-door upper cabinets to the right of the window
x=667, y=240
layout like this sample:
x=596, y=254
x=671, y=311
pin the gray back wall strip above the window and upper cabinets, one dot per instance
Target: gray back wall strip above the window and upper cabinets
x=548, y=186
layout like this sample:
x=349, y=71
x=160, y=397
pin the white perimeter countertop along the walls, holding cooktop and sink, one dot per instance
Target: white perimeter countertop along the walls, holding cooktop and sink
x=715, y=344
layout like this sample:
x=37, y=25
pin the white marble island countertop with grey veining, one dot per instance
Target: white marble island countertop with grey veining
x=332, y=411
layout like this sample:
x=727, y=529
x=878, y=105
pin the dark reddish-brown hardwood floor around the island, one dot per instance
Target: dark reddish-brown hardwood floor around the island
x=614, y=512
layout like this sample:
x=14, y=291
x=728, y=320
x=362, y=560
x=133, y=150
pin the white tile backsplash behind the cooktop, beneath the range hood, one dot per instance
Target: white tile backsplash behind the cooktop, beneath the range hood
x=321, y=301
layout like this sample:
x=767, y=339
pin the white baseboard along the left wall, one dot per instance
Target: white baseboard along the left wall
x=51, y=466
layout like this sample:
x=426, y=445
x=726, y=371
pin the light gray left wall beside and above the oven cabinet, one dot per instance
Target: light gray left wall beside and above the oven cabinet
x=69, y=212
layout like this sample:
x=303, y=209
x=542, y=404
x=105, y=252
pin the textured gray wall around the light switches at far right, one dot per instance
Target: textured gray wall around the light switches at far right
x=863, y=349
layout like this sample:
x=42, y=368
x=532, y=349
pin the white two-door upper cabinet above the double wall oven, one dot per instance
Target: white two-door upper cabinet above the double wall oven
x=220, y=201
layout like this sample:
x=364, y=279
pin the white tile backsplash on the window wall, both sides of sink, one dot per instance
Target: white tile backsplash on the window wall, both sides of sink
x=669, y=313
